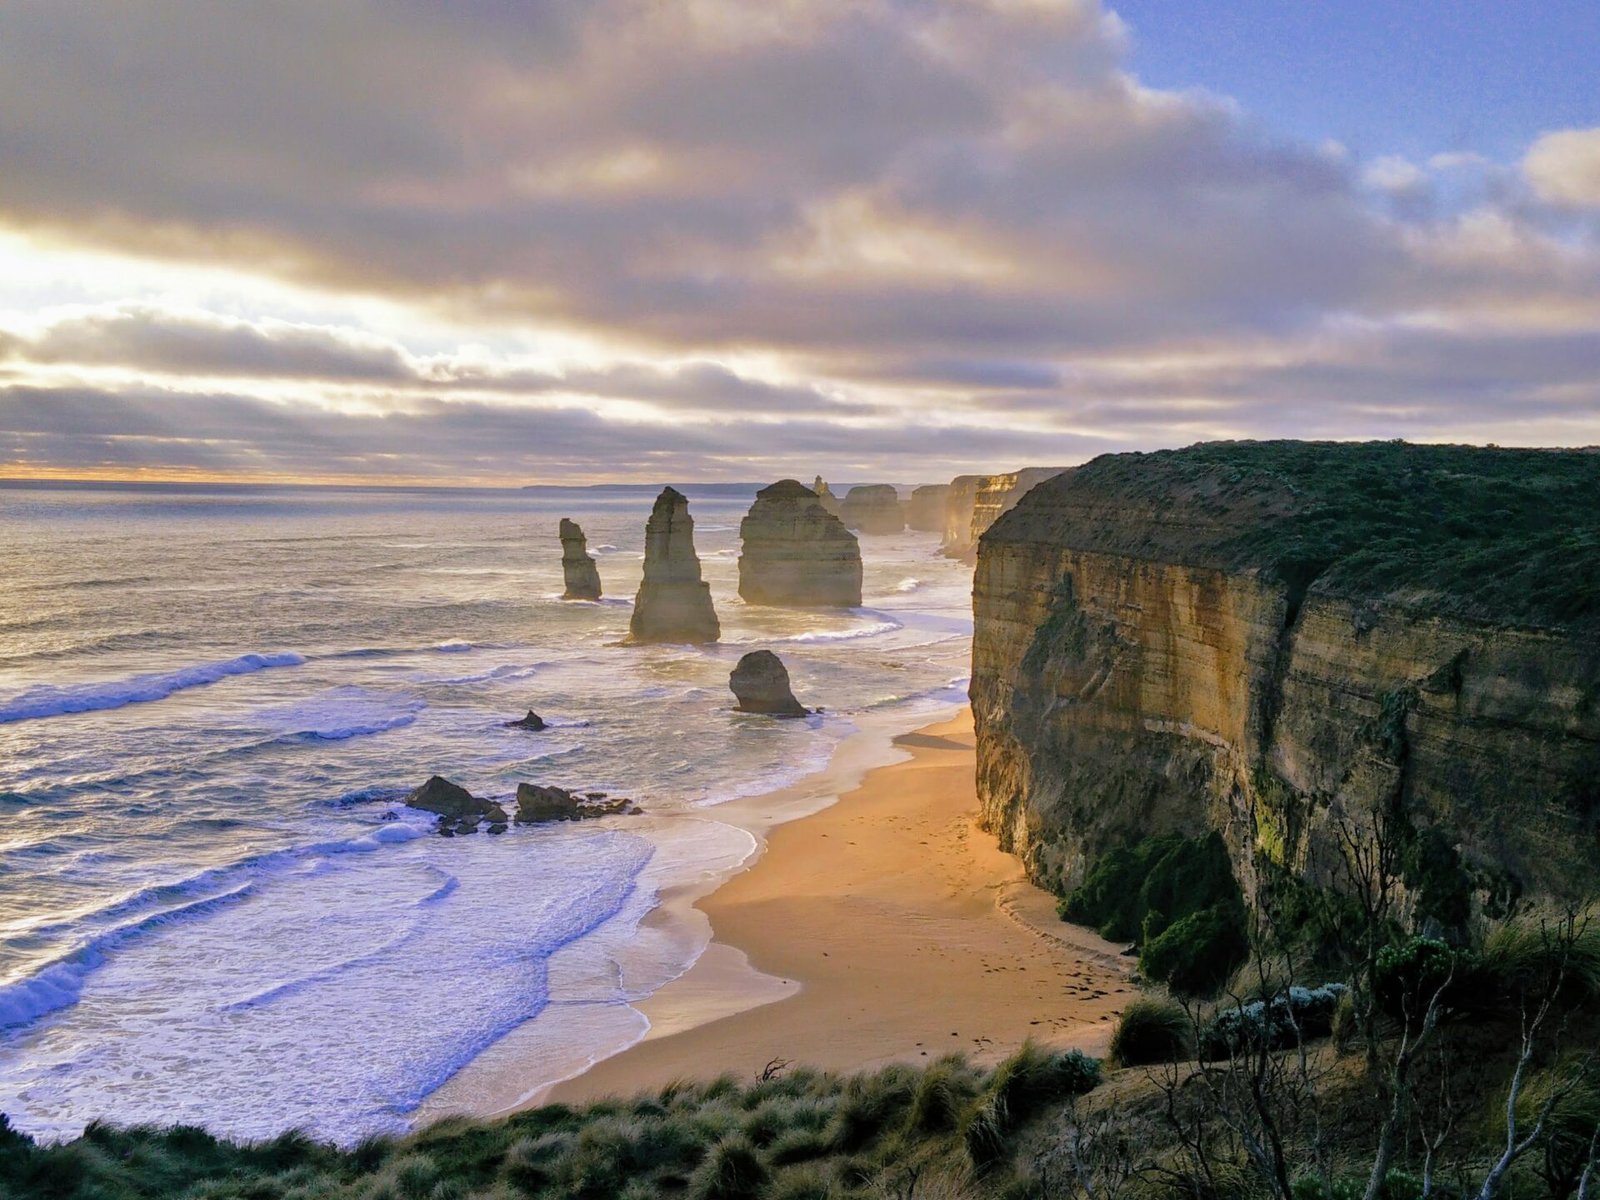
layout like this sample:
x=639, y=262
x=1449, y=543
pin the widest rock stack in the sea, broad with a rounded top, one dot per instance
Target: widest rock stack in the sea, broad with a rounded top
x=796, y=553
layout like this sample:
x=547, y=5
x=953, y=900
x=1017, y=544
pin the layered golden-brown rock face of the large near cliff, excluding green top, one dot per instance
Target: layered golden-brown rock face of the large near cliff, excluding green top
x=1138, y=668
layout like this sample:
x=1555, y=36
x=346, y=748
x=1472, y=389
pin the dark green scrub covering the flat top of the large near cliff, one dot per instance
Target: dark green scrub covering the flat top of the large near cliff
x=1505, y=535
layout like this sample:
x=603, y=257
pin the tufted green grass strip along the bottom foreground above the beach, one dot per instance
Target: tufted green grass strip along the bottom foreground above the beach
x=802, y=1135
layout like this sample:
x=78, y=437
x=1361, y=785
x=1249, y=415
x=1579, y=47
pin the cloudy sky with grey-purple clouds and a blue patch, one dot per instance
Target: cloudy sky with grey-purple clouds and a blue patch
x=569, y=241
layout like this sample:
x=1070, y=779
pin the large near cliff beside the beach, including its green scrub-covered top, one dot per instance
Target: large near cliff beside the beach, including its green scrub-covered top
x=1282, y=641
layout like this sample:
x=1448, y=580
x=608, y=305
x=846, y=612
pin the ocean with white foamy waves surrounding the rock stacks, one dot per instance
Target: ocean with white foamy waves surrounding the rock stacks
x=214, y=905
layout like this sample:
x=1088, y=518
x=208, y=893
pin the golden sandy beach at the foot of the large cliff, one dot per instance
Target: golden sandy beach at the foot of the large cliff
x=882, y=929
